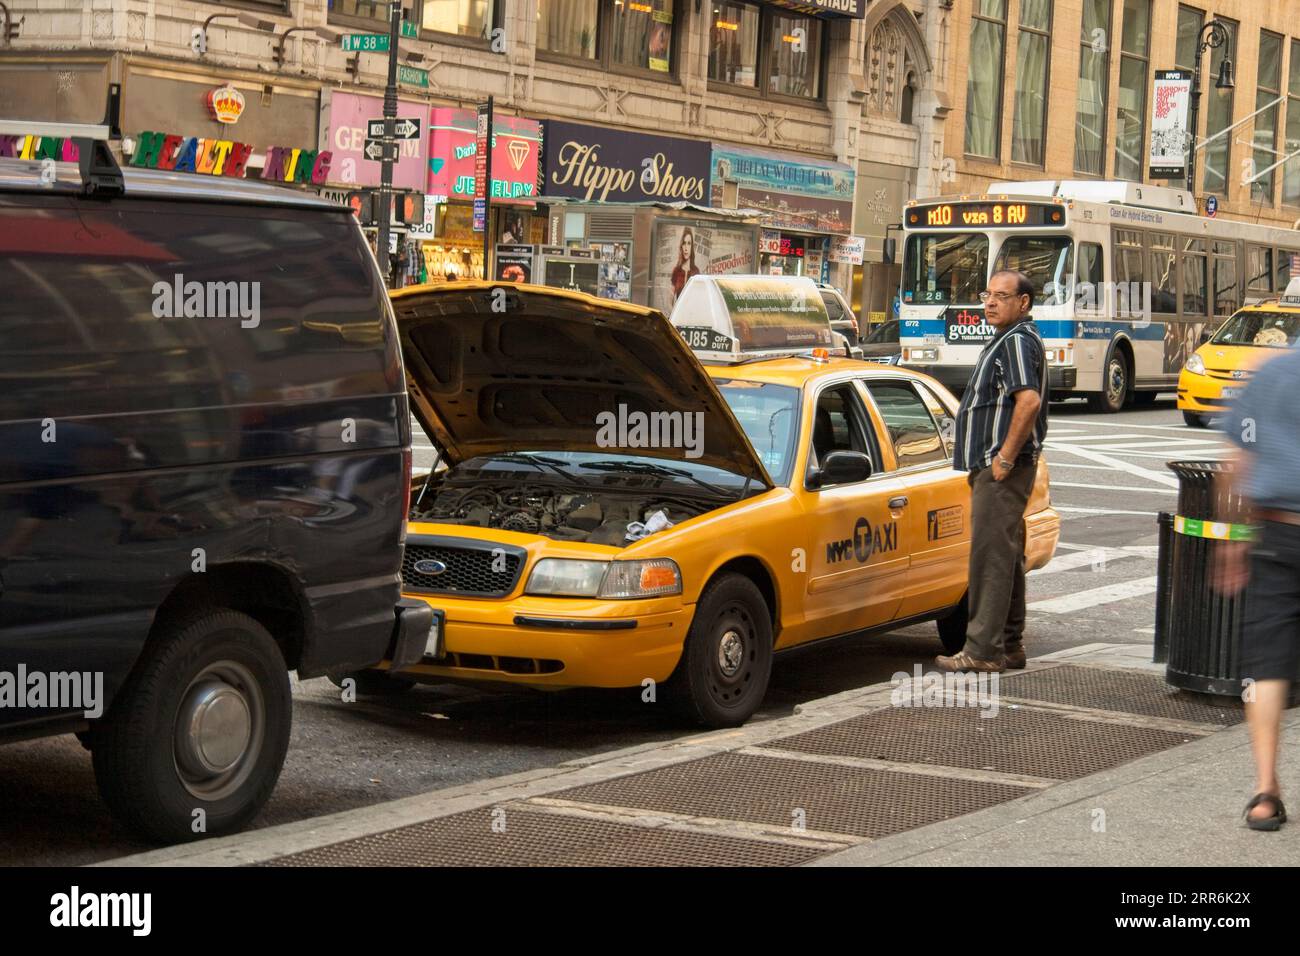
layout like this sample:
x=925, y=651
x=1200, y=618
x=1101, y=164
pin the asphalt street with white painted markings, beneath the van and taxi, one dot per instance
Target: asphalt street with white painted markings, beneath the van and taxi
x=1108, y=482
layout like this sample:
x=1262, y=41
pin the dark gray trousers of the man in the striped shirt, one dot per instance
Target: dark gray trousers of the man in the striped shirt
x=996, y=598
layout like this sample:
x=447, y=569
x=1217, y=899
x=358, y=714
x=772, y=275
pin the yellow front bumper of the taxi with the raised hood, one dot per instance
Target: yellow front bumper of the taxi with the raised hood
x=556, y=643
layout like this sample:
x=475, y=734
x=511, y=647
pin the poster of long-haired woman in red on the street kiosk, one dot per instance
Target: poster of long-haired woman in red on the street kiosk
x=683, y=250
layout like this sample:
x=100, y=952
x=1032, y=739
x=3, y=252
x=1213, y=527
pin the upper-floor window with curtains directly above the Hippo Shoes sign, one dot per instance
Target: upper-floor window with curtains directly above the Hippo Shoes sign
x=625, y=34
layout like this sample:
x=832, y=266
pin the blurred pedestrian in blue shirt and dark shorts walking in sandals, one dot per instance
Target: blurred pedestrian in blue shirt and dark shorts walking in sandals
x=1266, y=473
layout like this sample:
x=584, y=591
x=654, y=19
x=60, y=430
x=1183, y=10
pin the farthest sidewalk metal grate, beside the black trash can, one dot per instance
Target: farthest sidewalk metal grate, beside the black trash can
x=1126, y=693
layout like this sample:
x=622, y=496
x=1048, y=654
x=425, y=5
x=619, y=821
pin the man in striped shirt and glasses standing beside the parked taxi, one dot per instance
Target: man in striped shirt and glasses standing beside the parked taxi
x=1002, y=425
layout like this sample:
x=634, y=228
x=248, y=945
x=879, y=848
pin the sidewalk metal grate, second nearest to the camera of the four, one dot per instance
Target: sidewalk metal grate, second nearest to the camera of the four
x=779, y=793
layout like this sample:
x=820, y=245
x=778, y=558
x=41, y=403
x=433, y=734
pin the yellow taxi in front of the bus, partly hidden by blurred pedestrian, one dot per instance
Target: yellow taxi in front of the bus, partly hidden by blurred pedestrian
x=1220, y=370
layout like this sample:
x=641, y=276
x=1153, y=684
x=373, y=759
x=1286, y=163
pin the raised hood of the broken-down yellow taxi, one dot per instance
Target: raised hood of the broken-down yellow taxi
x=501, y=367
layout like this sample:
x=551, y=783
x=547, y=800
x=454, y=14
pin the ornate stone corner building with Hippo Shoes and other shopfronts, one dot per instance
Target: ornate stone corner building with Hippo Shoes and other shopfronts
x=816, y=113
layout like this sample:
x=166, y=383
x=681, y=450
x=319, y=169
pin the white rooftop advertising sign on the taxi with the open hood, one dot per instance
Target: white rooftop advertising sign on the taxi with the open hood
x=735, y=318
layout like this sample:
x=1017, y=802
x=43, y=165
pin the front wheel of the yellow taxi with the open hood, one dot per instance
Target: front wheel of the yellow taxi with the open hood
x=727, y=663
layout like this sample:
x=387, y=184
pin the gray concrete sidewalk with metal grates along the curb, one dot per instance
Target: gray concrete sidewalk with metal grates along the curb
x=1090, y=760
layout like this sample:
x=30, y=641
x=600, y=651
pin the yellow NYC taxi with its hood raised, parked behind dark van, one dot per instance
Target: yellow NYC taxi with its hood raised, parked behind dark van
x=608, y=512
